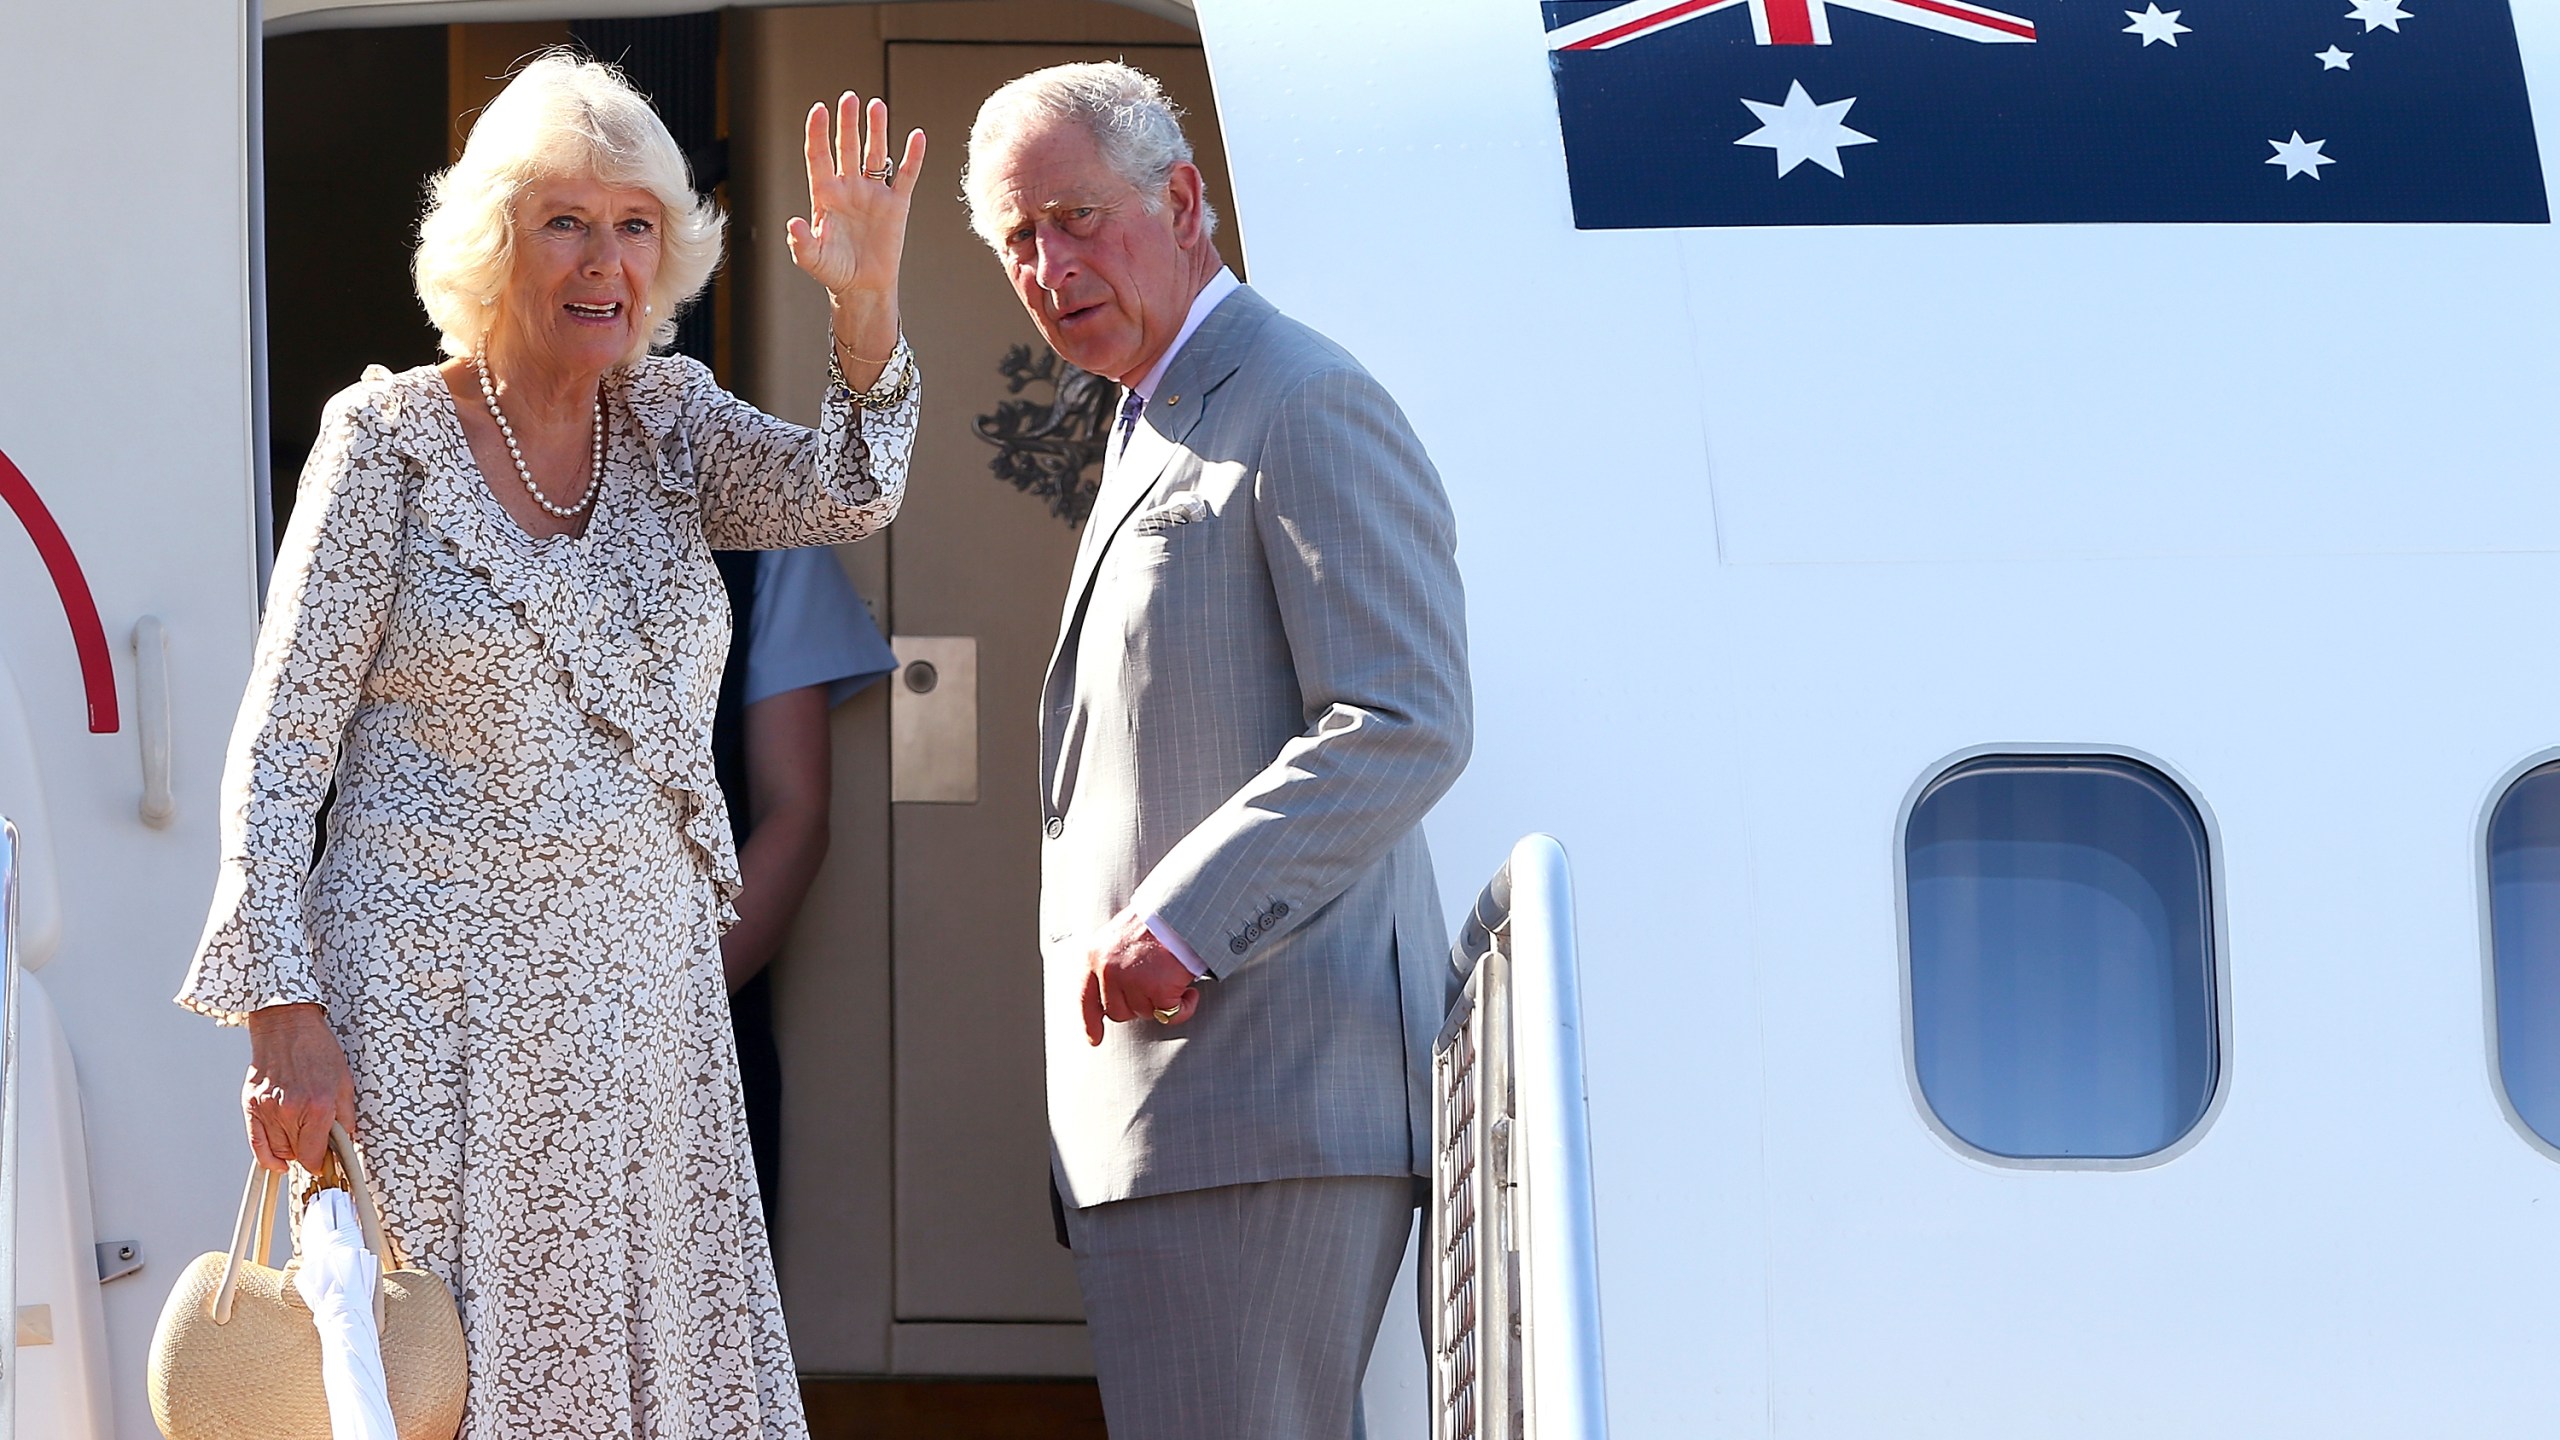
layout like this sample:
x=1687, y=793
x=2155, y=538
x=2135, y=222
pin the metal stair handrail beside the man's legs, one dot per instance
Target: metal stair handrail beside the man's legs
x=1514, y=1229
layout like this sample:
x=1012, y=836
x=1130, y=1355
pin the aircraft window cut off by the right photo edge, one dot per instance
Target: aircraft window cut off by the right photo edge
x=2525, y=947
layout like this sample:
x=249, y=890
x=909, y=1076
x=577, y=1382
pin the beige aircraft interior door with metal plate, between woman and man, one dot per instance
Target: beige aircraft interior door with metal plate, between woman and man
x=915, y=1234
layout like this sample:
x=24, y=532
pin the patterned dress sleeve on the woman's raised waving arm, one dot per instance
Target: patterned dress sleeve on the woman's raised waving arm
x=772, y=486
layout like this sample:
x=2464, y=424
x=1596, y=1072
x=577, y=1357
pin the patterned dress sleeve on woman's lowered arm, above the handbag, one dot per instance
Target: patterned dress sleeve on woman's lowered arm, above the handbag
x=329, y=603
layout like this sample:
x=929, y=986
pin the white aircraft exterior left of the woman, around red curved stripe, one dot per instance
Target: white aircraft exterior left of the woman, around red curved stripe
x=124, y=398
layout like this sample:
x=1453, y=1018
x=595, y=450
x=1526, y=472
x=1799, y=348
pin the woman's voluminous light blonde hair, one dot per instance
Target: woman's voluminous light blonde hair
x=562, y=117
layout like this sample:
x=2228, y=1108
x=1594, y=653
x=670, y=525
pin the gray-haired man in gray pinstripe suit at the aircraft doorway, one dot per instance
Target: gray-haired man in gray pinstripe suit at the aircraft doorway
x=1258, y=691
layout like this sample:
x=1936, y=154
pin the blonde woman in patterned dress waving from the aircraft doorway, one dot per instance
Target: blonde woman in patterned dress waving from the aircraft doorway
x=498, y=632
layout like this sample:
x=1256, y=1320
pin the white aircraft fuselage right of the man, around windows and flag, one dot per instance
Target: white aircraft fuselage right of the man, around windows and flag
x=2267, y=503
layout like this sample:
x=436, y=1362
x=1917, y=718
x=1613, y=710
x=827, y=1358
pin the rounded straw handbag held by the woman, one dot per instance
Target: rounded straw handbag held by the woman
x=237, y=1354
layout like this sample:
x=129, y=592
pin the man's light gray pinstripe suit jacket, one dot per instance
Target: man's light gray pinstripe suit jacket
x=1258, y=691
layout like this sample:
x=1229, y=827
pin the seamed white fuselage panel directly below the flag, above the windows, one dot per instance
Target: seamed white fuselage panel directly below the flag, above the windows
x=2129, y=391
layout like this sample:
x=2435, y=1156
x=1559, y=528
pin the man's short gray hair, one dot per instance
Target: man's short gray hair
x=1138, y=129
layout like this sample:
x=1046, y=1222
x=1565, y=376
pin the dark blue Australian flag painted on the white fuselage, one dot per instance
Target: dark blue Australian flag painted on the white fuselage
x=2042, y=111
